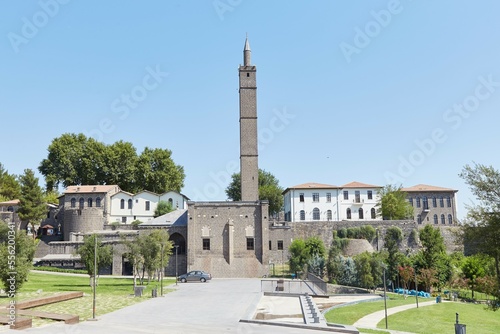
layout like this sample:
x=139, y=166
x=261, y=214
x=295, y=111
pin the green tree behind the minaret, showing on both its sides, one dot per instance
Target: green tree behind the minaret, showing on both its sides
x=269, y=189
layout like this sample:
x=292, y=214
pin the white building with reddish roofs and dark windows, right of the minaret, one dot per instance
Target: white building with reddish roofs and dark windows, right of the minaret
x=316, y=201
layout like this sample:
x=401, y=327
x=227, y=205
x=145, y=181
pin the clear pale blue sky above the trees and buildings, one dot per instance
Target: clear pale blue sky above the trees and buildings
x=376, y=91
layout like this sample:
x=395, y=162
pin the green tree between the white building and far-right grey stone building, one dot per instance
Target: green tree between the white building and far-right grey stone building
x=393, y=205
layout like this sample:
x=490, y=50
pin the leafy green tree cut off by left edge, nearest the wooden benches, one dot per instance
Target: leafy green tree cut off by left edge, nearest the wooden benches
x=16, y=257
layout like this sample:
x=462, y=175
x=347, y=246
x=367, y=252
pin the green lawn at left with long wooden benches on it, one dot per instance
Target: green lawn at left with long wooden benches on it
x=111, y=294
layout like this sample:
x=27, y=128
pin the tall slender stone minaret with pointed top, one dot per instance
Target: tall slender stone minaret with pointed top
x=248, y=128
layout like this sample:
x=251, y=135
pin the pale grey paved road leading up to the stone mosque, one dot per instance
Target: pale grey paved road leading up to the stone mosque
x=214, y=307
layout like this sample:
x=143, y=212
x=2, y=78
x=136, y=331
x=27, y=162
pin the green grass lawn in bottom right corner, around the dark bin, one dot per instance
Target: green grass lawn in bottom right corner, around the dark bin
x=440, y=318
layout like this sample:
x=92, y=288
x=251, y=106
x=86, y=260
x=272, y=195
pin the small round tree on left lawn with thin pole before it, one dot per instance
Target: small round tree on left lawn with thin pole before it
x=87, y=253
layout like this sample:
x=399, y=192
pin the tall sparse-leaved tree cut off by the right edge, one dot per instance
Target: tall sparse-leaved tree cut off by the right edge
x=481, y=230
